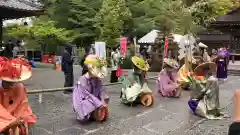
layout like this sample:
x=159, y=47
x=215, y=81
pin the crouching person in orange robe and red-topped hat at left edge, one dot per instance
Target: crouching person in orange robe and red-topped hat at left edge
x=15, y=112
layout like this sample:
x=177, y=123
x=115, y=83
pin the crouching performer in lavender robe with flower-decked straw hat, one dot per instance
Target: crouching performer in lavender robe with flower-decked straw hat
x=90, y=99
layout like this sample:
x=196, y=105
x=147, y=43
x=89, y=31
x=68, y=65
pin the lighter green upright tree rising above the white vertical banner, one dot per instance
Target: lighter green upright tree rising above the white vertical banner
x=110, y=20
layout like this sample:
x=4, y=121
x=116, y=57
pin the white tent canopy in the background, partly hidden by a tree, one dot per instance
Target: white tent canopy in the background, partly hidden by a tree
x=152, y=35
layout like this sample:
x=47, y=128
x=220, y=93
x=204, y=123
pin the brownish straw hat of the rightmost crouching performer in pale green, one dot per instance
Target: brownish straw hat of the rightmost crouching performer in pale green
x=205, y=66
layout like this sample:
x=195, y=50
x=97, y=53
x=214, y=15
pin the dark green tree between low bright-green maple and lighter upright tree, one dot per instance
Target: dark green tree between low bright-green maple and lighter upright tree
x=76, y=15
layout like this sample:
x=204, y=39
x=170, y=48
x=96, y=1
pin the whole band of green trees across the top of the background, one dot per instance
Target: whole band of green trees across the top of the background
x=82, y=22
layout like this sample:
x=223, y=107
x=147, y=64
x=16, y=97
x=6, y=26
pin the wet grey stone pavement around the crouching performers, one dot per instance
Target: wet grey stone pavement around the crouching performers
x=165, y=117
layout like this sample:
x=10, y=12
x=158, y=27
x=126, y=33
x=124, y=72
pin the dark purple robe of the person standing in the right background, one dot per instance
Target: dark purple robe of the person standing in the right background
x=222, y=67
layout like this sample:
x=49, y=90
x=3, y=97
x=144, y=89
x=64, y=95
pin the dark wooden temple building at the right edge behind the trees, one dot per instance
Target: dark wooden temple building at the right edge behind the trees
x=224, y=31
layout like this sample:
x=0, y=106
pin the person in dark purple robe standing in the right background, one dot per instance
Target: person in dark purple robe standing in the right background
x=222, y=65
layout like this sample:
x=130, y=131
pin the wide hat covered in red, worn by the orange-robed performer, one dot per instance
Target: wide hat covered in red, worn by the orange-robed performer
x=14, y=70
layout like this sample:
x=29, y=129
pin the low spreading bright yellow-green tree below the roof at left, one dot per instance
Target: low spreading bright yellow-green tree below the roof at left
x=40, y=34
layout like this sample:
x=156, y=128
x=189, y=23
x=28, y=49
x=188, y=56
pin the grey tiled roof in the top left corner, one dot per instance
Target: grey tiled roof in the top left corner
x=20, y=5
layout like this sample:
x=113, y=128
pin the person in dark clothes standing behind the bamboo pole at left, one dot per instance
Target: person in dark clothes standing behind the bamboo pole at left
x=67, y=67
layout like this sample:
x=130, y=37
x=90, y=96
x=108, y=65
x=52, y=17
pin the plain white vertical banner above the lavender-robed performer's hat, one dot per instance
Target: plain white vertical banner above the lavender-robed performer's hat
x=100, y=49
